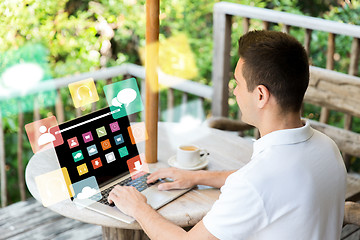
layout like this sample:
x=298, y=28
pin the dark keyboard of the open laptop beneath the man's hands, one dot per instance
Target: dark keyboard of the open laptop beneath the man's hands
x=139, y=183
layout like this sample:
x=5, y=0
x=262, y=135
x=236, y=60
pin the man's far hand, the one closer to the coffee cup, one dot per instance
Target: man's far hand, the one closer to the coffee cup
x=182, y=178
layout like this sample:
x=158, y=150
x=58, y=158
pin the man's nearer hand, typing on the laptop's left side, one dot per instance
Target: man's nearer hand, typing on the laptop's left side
x=127, y=199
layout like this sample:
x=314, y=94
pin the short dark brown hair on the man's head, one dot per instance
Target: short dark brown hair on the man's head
x=277, y=61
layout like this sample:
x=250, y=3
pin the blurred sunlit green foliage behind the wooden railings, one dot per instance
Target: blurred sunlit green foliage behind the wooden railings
x=67, y=37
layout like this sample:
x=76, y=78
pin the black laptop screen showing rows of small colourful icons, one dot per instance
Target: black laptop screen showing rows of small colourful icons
x=96, y=145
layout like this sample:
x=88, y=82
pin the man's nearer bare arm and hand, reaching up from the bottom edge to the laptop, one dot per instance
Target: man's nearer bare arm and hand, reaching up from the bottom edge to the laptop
x=133, y=203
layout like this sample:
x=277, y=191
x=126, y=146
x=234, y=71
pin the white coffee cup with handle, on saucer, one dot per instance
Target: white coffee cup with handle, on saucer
x=188, y=155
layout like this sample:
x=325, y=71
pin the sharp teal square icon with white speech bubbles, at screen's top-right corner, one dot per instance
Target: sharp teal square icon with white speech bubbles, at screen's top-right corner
x=123, y=98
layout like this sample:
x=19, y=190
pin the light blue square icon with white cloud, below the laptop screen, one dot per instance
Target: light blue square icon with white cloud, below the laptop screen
x=86, y=192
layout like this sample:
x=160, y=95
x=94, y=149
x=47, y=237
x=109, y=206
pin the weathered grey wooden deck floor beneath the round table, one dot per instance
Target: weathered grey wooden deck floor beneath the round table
x=30, y=220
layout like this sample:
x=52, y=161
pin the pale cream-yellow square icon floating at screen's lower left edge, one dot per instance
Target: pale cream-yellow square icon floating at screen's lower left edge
x=54, y=186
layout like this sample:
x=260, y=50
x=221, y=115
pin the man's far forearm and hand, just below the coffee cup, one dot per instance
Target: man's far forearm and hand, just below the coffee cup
x=185, y=179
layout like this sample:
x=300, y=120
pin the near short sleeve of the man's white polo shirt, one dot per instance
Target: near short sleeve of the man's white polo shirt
x=238, y=213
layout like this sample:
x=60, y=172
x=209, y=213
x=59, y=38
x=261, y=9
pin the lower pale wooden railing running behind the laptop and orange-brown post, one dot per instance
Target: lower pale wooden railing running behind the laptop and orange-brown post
x=173, y=83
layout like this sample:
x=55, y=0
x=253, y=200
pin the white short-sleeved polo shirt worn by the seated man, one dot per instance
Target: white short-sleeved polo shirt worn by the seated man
x=293, y=188
